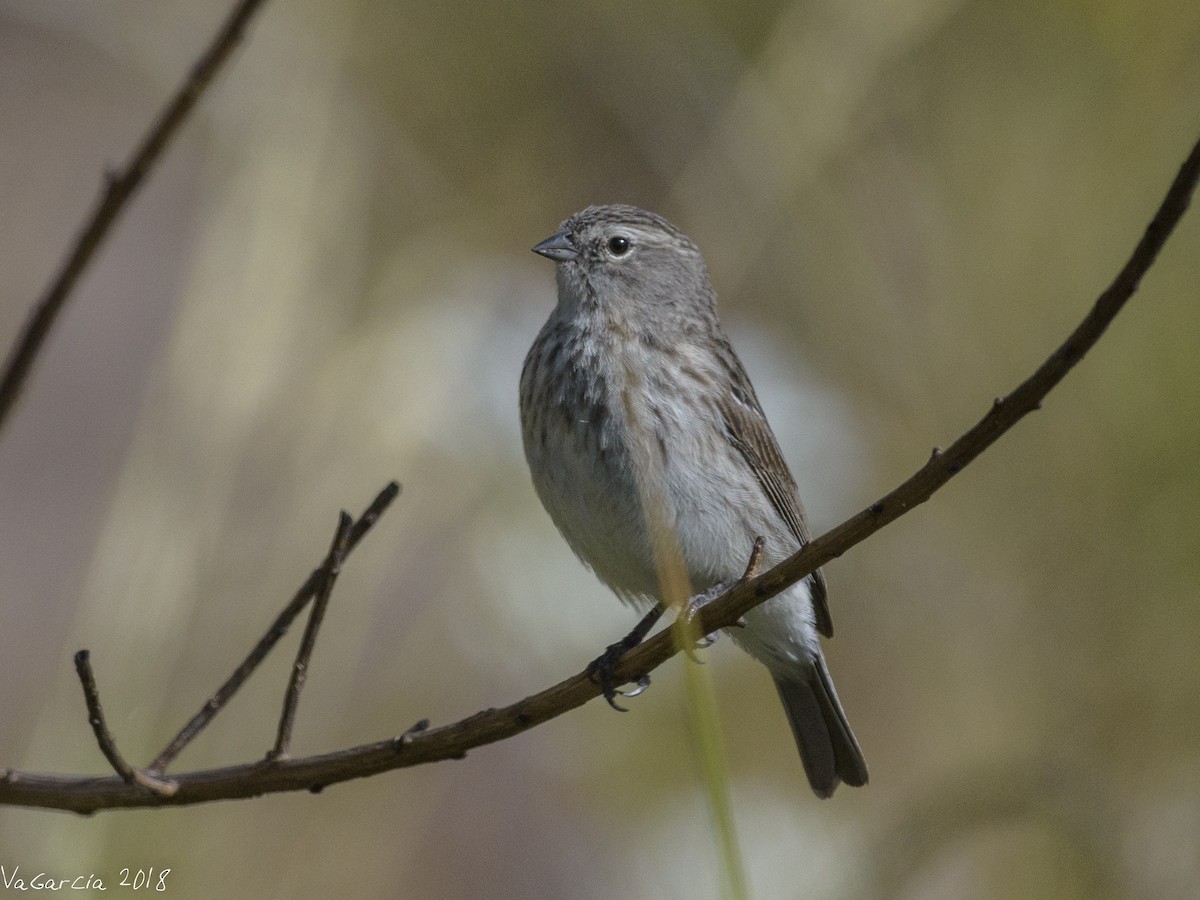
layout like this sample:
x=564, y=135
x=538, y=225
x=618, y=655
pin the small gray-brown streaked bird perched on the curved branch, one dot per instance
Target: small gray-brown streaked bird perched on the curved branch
x=638, y=416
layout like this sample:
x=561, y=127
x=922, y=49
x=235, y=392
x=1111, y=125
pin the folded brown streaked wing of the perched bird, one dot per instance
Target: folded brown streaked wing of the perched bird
x=747, y=428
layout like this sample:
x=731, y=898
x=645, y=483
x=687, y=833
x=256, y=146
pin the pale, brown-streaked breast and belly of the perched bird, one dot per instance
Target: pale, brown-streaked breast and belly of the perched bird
x=622, y=429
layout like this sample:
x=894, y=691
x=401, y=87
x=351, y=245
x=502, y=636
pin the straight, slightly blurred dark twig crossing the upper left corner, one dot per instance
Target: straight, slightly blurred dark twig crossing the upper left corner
x=119, y=189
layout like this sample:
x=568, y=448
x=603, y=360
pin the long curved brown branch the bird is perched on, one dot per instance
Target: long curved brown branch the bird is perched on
x=423, y=745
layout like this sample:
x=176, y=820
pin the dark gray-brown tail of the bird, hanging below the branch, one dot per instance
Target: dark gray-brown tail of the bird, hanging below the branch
x=827, y=746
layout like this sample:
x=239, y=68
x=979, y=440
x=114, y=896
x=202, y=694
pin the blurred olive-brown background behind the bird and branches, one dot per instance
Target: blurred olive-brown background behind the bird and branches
x=327, y=285
